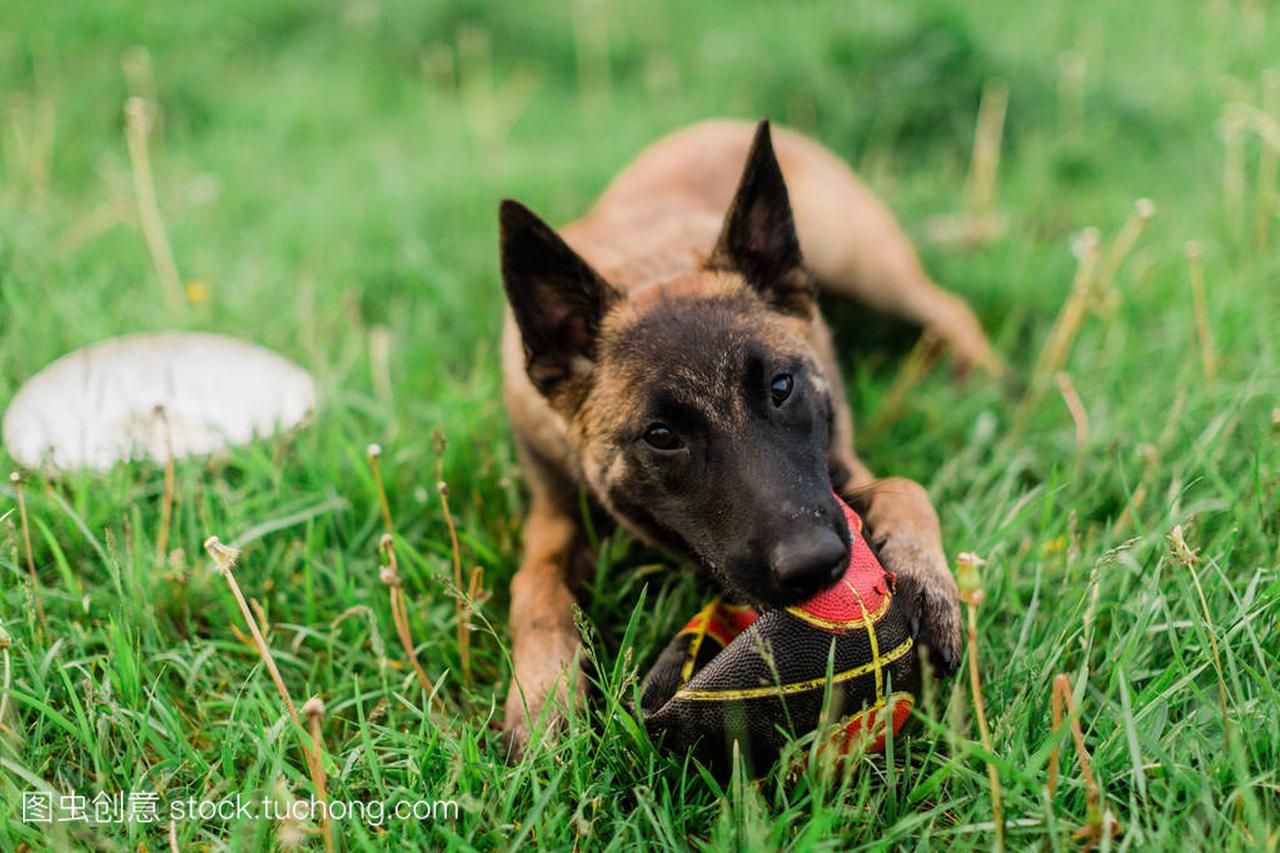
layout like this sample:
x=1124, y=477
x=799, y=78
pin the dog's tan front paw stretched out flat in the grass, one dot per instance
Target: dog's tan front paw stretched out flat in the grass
x=546, y=681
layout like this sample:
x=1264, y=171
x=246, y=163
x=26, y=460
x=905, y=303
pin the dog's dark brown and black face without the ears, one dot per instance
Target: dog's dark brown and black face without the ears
x=725, y=454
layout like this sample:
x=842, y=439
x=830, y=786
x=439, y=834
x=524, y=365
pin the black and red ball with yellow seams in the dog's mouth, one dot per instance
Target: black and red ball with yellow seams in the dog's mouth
x=760, y=679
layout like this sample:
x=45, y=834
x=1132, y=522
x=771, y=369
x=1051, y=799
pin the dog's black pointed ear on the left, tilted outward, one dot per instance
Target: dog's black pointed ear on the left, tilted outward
x=559, y=300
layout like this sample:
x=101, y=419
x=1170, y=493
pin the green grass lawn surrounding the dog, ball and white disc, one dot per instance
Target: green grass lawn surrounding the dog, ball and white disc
x=332, y=170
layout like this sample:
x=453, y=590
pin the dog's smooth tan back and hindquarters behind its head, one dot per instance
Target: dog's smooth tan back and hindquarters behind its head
x=664, y=213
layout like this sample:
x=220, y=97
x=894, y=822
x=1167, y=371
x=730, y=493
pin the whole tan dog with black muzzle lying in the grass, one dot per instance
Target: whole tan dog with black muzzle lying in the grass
x=666, y=354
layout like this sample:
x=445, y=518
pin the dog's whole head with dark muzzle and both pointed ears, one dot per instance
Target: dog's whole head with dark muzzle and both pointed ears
x=698, y=407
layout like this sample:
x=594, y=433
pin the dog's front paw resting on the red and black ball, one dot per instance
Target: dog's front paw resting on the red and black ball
x=929, y=597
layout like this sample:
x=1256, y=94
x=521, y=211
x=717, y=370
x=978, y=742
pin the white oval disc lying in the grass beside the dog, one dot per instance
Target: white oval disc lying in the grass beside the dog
x=150, y=396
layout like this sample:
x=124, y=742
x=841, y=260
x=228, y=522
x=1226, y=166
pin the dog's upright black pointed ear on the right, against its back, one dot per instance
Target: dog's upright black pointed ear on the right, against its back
x=760, y=236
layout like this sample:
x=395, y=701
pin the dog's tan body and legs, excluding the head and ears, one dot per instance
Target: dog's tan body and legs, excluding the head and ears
x=650, y=238
